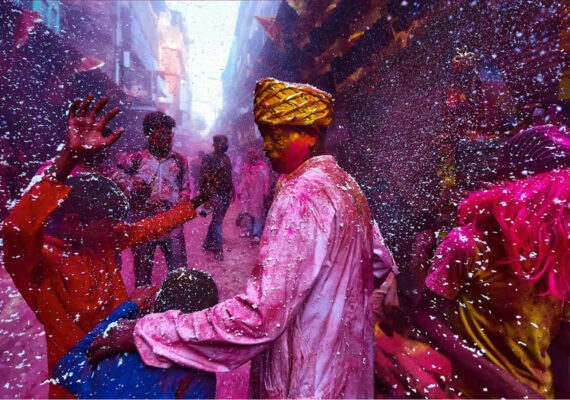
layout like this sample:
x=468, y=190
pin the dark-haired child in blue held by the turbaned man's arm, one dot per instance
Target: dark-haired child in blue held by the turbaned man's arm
x=124, y=375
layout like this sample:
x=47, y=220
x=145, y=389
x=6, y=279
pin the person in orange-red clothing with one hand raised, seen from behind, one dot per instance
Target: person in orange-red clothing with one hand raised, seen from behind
x=72, y=281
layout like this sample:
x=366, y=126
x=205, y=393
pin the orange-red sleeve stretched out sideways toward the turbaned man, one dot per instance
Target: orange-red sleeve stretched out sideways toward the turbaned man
x=125, y=235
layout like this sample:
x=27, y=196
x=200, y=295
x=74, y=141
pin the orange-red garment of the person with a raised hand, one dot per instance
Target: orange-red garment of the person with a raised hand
x=69, y=289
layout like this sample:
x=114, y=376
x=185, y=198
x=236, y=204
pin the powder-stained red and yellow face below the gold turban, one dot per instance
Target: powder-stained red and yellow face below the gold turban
x=286, y=147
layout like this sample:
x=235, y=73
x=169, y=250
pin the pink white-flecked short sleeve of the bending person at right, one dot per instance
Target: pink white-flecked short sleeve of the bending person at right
x=453, y=263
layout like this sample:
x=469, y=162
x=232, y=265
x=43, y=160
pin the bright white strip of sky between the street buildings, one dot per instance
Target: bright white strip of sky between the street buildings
x=211, y=26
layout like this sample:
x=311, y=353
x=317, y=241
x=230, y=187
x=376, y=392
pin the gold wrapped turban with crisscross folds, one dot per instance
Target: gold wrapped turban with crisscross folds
x=284, y=103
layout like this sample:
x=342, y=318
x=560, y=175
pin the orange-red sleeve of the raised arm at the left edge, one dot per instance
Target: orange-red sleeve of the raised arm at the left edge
x=23, y=231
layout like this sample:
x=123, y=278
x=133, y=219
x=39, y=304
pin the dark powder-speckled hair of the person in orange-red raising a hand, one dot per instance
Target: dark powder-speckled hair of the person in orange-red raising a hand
x=94, y=197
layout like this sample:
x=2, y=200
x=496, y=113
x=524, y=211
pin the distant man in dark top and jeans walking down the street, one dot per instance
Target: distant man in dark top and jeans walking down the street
x=216, y=173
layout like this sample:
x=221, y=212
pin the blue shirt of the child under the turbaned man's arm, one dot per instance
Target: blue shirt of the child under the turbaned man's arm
x=125, y=375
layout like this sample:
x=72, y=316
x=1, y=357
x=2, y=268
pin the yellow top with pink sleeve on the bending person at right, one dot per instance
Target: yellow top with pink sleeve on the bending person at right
x=505, y=316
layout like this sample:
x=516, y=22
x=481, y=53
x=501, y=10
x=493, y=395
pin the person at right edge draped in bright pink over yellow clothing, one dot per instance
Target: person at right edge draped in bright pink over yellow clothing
x=499, y=285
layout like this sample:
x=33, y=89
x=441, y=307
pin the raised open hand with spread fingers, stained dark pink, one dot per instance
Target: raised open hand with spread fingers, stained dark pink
x=85, y=128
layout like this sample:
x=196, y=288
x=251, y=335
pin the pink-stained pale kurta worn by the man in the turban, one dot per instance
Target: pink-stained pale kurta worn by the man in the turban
x=306, y=316
